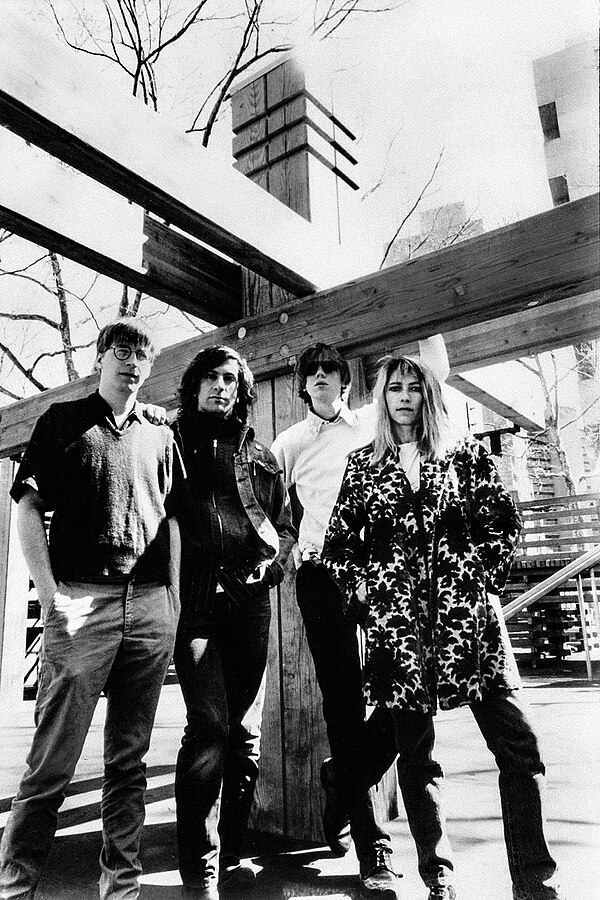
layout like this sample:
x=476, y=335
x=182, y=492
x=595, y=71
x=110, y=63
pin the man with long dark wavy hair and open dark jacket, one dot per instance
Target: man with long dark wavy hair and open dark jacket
x=236, y=537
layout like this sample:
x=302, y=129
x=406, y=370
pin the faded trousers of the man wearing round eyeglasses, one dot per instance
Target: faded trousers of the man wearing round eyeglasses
x=117, y=638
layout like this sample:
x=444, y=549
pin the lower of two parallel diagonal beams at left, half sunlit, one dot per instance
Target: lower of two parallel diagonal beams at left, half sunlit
x=47, y=203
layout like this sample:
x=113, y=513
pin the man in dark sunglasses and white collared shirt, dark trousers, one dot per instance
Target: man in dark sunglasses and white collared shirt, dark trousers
x=313, y=455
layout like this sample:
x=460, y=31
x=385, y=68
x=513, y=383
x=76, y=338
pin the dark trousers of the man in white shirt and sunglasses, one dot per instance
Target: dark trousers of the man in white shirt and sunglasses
x=362, y=750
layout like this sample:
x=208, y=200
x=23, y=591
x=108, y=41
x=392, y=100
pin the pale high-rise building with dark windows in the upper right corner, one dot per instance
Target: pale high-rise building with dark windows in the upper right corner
x=566, y=86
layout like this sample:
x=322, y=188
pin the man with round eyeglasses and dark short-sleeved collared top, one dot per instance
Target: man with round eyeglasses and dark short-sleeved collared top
x=107, y=581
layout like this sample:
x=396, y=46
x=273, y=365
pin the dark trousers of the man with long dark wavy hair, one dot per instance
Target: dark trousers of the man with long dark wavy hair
x=220, y=657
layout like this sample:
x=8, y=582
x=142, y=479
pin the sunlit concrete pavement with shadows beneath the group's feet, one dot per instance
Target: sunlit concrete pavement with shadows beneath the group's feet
x=565, y=708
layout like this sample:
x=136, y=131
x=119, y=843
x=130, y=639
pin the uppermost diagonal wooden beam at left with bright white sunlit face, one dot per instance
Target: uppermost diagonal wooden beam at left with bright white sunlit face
x=57, y=99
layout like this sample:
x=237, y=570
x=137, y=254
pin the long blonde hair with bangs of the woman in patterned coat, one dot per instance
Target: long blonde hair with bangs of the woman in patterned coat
x=432, y=427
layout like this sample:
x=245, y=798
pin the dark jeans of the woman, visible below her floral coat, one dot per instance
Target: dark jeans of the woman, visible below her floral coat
x=502, y=720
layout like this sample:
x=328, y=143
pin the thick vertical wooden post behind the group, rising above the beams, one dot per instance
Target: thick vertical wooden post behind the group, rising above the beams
x=291, y=143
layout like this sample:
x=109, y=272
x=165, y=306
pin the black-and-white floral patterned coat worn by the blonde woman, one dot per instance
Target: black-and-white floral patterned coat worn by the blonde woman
x=434, y=638
